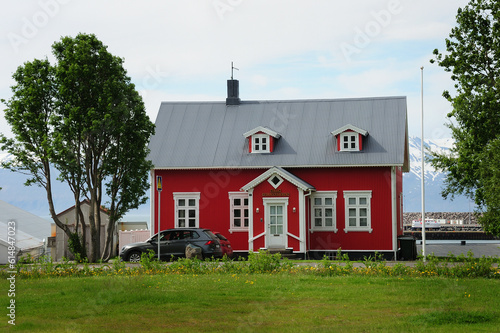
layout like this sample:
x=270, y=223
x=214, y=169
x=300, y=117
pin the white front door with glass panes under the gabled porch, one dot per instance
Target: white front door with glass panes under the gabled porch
x=276, y=223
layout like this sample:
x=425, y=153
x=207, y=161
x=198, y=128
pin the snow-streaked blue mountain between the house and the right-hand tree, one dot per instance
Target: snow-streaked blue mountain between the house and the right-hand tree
x=434, y=180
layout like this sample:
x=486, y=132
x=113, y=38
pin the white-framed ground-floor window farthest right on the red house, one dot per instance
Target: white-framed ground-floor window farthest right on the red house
x=362, y=210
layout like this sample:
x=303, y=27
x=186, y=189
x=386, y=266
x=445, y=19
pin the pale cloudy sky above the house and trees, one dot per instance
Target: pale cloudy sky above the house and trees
x=287, y=49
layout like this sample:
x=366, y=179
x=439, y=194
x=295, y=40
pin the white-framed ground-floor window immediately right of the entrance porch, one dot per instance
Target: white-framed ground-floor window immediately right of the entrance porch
x=323, y=208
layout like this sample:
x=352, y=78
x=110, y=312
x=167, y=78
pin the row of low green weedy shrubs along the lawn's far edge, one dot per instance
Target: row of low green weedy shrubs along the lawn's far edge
x=263, y=262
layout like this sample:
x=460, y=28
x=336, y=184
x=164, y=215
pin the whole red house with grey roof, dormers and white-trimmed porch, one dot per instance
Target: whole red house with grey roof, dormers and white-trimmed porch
x=307, y=176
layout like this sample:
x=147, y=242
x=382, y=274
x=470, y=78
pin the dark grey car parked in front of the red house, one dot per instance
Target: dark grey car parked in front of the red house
x=173, y=242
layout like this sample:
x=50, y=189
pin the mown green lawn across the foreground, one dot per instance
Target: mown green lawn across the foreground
x=254, y=303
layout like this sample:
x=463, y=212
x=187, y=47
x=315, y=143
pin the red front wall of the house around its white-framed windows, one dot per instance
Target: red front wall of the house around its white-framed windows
x=214, y=211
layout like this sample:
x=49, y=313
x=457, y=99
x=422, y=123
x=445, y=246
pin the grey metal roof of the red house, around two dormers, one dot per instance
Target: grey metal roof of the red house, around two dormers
x=210, y=134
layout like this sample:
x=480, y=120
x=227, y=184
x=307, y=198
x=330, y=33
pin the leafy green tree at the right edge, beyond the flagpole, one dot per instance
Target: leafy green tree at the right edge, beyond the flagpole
x=472, y=57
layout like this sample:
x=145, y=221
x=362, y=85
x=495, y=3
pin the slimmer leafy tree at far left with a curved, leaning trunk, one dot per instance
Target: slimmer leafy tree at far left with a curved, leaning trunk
x=30, y=112
